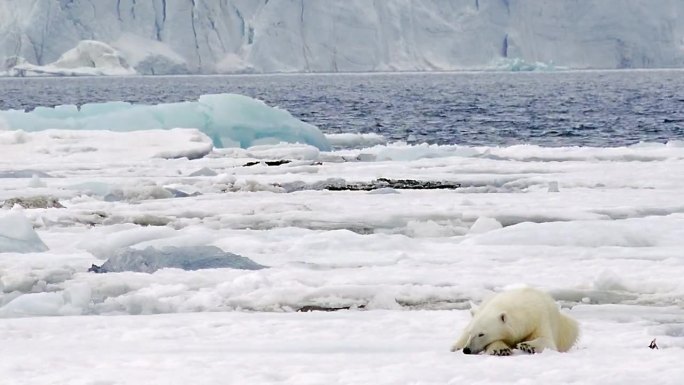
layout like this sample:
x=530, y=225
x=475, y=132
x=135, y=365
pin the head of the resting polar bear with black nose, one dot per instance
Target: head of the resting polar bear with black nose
x=485, y=327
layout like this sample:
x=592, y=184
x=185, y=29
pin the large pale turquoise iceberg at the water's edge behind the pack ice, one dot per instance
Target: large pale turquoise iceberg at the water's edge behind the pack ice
x=230, y=120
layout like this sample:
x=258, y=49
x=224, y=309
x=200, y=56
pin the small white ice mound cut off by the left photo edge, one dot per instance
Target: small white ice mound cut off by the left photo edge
x=17, y=234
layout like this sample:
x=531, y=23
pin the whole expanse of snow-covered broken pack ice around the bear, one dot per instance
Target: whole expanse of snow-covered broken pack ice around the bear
x=608, y=245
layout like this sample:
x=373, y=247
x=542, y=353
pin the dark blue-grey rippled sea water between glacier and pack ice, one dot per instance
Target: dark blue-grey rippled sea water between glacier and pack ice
x=602, y=109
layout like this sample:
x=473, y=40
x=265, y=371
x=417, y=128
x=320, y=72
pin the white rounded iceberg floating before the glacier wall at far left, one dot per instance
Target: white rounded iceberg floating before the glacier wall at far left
x=88, y=58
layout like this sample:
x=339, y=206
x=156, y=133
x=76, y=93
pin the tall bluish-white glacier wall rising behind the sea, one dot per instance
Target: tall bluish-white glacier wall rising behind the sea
x=220, y=36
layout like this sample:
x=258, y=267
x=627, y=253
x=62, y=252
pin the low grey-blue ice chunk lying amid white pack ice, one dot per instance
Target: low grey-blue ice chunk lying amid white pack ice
x=152, y=259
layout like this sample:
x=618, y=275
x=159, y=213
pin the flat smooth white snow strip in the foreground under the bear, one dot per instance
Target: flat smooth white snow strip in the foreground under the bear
x=348, y=347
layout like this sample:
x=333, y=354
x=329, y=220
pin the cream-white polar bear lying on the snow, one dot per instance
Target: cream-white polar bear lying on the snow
x=524, y=318
